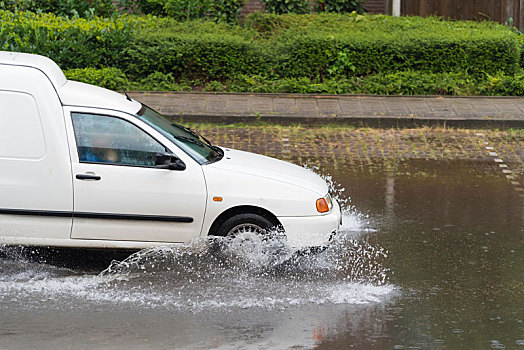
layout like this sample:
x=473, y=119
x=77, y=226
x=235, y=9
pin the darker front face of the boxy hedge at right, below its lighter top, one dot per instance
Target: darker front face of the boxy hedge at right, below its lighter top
x=313, y=55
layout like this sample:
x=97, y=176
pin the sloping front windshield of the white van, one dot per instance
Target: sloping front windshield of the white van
x=195, y=145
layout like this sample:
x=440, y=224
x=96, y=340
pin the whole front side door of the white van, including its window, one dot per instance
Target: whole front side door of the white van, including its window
x=119, y=194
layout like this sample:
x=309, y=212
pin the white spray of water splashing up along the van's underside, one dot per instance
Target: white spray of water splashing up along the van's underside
x=218, y=273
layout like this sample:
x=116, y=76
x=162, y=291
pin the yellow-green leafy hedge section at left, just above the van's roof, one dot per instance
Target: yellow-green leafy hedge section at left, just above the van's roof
x=72, y=43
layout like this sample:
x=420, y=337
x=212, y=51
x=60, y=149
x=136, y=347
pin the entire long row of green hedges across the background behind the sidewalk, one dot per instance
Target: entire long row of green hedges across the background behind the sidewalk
x=339, y=53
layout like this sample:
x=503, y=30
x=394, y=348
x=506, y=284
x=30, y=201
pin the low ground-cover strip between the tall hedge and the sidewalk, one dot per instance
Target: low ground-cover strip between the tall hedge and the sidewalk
x=398, y=83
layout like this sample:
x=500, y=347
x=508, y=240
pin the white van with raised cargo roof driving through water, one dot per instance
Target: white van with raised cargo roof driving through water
x=82, y=166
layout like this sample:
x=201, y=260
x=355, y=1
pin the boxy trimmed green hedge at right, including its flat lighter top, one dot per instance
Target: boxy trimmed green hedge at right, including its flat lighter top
x=372, y=44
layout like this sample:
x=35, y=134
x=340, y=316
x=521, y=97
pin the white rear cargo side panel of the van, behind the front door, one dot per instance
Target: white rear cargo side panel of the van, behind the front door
x=36, y=191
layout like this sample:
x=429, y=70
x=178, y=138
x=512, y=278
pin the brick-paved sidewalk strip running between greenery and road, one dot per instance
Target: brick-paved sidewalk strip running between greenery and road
x=372, y=110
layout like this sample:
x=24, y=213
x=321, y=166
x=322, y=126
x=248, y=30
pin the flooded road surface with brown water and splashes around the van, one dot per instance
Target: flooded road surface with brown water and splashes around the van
x=430, y=256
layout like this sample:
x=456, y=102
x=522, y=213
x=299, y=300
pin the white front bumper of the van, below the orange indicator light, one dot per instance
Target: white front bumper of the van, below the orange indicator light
x=311, y=231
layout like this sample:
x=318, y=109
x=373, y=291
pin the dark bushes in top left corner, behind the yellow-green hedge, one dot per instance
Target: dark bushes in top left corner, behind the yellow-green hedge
x=66, y=8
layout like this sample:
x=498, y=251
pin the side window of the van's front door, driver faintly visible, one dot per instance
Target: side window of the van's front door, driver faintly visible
x=111, y=140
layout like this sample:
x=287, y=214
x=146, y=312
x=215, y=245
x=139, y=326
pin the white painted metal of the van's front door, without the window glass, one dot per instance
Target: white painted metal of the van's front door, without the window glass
x=152, y=198
